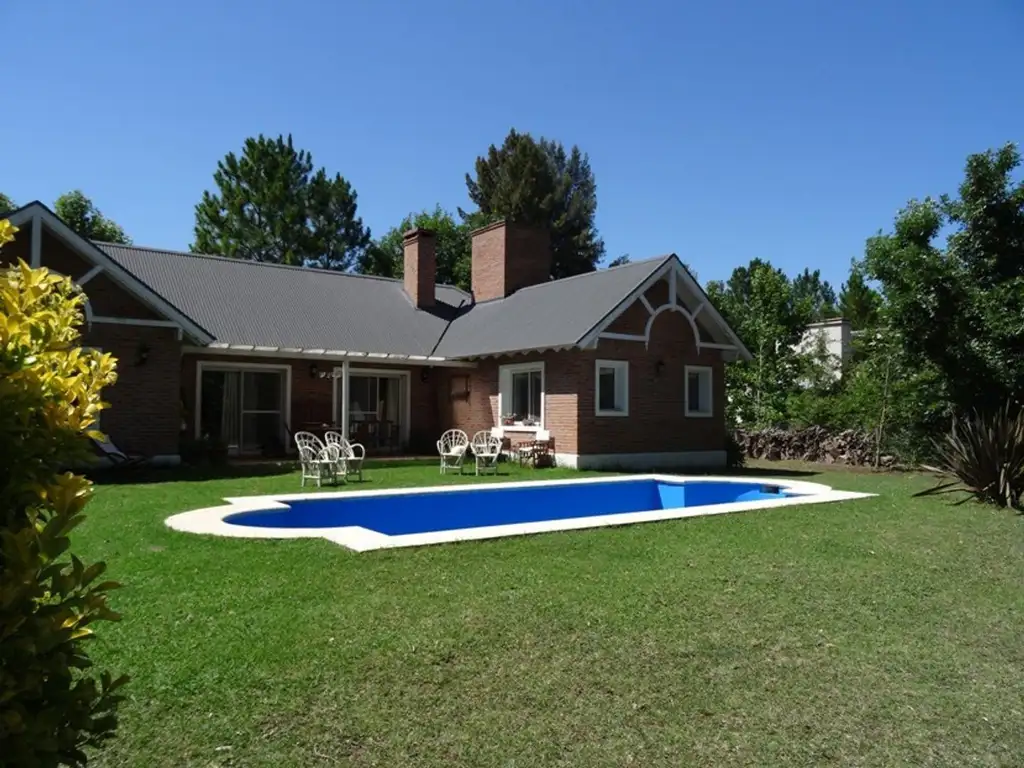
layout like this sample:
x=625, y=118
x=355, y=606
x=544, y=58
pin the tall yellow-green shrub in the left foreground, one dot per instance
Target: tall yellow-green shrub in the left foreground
x=52, y=705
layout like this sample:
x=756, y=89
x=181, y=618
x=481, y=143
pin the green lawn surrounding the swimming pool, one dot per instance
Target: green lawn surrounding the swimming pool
x=880, y=632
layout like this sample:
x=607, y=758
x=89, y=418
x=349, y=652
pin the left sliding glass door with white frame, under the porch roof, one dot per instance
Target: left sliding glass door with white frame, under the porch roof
x=244, y=410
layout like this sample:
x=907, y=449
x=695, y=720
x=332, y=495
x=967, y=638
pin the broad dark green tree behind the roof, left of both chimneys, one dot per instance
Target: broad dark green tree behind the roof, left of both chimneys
x=273, y=206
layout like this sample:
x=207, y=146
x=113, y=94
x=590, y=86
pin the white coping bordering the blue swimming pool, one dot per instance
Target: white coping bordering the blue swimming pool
x=211, y=521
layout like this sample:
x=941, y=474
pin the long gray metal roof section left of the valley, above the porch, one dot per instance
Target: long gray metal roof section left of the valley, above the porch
x=246, y=303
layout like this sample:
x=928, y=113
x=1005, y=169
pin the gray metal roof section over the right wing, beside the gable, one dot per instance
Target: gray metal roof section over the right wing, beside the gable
x=549, y=315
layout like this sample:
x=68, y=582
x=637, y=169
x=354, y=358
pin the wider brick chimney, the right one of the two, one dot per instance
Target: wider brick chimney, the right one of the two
x=509, y=257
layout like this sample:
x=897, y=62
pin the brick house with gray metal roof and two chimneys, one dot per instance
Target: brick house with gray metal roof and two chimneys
x=624, y=367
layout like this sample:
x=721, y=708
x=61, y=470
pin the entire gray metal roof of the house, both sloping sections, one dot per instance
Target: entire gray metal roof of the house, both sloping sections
x=250, y=304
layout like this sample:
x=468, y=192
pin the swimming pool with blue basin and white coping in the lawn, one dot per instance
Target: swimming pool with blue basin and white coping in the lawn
x=405, y=518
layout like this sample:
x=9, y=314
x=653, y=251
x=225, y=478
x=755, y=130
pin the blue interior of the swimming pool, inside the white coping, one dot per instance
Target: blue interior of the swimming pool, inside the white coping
x=399, y=514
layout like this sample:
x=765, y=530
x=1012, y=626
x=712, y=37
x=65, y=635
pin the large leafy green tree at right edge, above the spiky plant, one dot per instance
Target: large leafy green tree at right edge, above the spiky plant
x=960, y=310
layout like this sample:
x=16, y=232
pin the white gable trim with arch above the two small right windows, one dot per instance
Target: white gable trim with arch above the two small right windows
x=673, y=270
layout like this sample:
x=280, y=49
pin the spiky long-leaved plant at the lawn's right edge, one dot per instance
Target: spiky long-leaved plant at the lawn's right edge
x=984, y=455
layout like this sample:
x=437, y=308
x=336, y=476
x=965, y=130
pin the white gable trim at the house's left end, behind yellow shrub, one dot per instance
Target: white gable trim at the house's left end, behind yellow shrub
x=39, y=215
